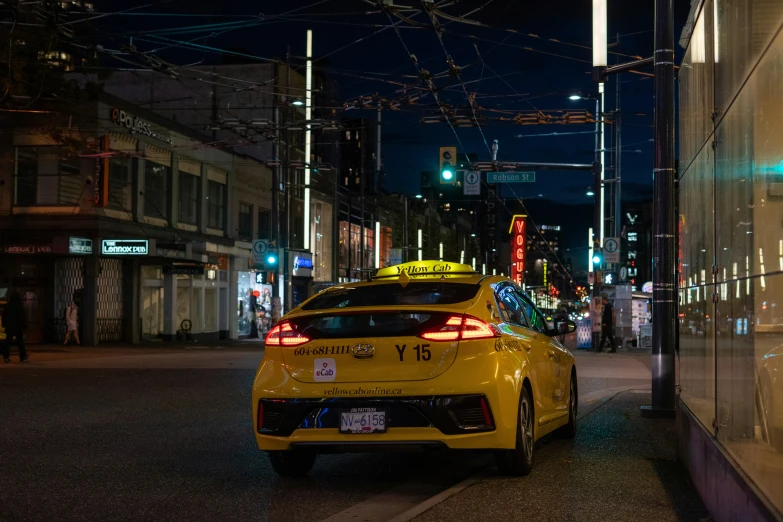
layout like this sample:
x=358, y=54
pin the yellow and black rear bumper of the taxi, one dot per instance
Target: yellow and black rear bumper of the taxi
x=420, y=412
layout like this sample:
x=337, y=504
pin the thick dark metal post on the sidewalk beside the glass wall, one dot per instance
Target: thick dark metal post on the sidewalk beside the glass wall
x=664, y=231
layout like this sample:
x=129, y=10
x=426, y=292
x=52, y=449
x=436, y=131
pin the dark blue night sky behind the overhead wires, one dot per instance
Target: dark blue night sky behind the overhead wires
x=537, y=73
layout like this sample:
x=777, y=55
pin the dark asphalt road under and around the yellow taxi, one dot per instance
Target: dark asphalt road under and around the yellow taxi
x=150, y=437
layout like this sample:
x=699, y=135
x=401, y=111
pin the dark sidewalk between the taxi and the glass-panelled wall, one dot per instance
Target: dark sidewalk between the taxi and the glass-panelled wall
x=620, y=467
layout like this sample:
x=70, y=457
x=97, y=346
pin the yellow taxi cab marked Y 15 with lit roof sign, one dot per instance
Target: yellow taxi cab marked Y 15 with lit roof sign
x=426, y=355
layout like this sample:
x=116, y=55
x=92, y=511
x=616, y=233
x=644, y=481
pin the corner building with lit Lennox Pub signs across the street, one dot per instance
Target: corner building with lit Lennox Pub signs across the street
x=130, y=215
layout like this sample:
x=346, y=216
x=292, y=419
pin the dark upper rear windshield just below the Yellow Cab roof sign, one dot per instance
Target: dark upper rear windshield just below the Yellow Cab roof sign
x=394, y=294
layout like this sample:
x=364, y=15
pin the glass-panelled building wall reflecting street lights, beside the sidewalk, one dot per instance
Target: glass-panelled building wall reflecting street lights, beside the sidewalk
x=731, y=257
